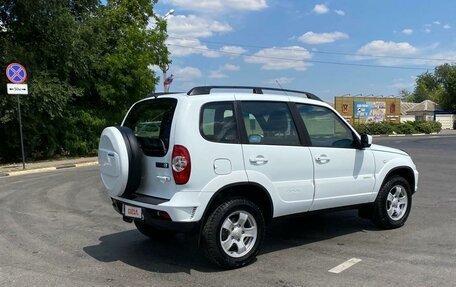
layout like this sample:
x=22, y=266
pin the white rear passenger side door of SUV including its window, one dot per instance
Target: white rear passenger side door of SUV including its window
x=274, y=156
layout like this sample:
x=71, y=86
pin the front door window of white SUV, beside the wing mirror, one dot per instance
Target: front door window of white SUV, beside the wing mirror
x=325, y=128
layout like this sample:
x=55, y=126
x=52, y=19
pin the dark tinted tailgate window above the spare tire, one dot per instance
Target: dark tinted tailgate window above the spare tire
x=151, y=122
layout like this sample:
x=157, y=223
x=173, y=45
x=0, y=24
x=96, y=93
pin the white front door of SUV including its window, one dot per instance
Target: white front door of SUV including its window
x=344, y=174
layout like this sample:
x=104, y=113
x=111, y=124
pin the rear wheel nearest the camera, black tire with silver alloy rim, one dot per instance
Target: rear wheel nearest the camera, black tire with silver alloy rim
x=239, y=224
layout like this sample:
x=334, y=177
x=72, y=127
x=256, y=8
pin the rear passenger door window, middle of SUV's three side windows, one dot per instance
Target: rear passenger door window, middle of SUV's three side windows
x=269, y=123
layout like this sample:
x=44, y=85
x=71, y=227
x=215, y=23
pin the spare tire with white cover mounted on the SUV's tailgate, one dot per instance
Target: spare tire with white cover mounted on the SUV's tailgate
x=119, y=158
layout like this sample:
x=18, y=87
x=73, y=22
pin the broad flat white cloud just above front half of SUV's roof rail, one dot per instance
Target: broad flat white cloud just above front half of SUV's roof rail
x=281, y=58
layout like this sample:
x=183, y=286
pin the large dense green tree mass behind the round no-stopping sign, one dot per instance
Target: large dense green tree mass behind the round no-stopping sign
x=87, y=63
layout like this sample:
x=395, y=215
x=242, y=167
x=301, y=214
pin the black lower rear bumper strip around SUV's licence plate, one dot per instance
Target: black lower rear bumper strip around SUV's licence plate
x=152, y=217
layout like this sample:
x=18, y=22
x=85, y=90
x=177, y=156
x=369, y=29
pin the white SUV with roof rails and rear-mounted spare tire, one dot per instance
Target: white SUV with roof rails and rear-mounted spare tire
x=224, y=164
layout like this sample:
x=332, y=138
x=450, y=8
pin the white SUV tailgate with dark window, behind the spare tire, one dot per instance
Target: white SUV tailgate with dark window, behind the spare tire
x=152, y=122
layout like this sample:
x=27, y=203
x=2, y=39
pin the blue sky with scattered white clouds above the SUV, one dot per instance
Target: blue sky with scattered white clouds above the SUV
x=329, y=48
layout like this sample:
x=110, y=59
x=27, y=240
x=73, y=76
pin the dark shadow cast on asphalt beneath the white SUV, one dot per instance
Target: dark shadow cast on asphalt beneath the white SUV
x=181, y=254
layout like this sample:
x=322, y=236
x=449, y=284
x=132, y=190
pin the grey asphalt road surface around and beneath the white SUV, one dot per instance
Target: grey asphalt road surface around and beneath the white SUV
x=58, y=229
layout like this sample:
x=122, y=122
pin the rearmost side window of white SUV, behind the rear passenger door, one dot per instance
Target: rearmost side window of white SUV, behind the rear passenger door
x=217, y=122
